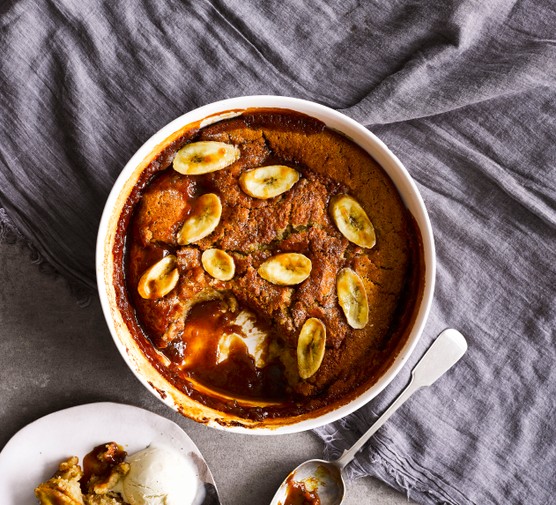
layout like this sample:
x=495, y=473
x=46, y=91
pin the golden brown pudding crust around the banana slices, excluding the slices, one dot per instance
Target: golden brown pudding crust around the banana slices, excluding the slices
x=251, y=231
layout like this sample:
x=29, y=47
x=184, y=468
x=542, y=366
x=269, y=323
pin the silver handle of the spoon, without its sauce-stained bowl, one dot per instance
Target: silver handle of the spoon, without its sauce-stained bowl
x=444, y=352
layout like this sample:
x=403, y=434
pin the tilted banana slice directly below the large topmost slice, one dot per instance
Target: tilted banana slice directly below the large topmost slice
x=202, y=221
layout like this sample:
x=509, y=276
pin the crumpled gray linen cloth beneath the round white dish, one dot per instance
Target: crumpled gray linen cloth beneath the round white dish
x=463, y=93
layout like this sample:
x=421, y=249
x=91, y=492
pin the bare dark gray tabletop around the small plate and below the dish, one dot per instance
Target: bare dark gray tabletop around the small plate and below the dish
x=54, y=355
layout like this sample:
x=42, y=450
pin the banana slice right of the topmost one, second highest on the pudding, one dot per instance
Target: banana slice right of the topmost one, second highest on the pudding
x=268, y=182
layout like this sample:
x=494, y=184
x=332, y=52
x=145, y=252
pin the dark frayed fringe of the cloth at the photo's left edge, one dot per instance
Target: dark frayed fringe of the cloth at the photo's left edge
x=9, y=234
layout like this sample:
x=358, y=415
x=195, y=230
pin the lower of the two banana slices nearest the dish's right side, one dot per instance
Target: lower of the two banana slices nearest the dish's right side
x=352, y=297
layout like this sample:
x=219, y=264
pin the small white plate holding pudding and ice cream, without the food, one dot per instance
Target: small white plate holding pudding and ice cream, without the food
x=33, y=454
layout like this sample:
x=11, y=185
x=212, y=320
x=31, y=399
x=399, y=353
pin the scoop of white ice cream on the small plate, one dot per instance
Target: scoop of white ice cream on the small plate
x=159, y=476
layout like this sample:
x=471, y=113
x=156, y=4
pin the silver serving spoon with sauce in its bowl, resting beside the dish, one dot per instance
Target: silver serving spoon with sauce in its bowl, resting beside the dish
x=324, y=479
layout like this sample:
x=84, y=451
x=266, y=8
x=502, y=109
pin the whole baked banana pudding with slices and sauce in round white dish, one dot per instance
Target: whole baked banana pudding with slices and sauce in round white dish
x=266, y=266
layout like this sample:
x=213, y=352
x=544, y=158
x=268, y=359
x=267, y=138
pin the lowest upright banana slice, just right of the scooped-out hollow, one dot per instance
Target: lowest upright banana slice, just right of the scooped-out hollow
x=310, y=347
